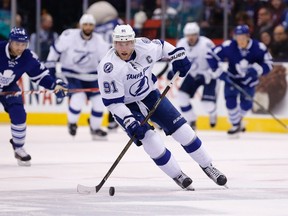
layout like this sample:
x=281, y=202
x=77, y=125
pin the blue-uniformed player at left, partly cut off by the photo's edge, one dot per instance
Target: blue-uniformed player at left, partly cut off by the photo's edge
x=15, y=60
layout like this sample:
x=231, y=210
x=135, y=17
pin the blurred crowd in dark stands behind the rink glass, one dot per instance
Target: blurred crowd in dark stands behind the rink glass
x=267, y=19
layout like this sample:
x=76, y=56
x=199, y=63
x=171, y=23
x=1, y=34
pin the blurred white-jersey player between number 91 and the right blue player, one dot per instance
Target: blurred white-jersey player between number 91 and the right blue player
x=196, y=47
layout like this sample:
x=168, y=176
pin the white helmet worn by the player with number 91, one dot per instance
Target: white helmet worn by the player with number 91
x=123, y=33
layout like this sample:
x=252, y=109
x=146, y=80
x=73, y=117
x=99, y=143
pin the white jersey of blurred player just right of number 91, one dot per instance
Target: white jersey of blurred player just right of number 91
x=197, y=55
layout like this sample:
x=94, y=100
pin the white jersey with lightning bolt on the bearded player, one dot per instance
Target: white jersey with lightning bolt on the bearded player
x=79, y=58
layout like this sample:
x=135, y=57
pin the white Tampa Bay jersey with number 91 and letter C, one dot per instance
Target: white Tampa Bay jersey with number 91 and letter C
x=131, y=81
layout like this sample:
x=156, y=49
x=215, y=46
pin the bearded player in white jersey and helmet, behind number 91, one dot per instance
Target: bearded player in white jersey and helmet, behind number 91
x=79, y=52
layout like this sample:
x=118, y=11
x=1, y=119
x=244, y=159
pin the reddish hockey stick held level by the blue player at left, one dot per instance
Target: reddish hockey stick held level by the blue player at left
x=16, y=93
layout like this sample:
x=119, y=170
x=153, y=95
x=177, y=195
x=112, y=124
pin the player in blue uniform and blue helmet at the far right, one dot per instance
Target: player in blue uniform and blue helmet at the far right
x=247, y=59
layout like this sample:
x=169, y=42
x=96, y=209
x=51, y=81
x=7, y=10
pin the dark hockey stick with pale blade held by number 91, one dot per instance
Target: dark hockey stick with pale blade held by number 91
x=86, y=189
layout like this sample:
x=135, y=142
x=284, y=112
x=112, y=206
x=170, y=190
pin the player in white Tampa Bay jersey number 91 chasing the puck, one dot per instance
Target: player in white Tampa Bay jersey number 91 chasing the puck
x=128, y=89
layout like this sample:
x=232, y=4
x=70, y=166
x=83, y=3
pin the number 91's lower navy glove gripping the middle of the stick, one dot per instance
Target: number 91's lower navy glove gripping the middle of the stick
x=133, y=128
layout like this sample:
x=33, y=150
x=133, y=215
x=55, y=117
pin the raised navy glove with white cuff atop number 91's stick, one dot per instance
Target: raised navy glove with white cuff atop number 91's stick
x=180, y=61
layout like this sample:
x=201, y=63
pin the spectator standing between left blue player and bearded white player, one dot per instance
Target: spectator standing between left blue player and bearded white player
x=47, y=37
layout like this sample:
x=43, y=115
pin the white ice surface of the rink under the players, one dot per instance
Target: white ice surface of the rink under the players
x=256, y=166
